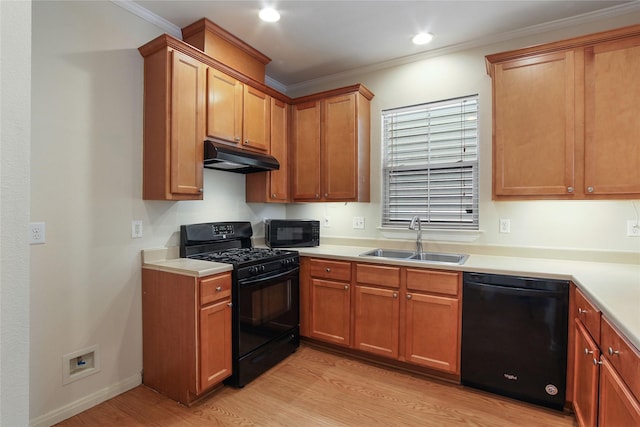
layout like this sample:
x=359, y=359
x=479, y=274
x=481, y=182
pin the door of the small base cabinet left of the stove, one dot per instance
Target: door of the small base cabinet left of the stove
x=215, y=344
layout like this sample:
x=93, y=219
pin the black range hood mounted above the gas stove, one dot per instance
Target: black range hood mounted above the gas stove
x=231, y=159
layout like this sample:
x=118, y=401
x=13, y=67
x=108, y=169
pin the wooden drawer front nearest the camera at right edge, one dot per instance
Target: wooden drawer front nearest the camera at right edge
x=623, y=356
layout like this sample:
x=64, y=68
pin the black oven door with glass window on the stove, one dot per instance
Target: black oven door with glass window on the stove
x=267, y=308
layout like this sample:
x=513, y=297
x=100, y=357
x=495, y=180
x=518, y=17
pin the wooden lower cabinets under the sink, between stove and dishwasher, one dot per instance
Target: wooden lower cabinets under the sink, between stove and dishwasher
x=403, y=314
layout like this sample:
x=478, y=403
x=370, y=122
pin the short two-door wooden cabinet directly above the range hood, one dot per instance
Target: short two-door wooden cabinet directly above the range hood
x=237, y=113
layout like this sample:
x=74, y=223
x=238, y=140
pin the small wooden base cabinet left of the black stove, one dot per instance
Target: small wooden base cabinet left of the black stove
x=186, y=333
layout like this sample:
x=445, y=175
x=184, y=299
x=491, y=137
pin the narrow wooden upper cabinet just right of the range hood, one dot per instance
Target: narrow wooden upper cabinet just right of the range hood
x=273, y=186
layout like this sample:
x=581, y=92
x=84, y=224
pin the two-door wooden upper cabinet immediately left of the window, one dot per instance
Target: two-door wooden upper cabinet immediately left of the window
x=330, y=146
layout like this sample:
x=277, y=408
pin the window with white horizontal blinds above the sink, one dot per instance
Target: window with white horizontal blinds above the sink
x=430, y=164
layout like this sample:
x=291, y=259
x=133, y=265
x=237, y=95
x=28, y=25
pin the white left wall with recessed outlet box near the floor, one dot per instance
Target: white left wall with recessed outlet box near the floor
x=86, y=185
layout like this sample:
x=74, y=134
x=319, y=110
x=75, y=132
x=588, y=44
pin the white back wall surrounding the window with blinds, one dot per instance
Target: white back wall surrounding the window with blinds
x=590, y=225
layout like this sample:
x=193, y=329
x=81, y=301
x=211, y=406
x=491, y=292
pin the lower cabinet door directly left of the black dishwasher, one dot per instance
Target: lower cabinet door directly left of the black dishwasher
x=432, y=337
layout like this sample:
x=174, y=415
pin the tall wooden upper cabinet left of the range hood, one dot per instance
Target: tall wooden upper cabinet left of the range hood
x=174, y=128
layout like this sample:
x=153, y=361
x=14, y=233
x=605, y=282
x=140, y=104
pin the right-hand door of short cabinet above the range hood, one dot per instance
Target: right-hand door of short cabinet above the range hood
x=255, y=128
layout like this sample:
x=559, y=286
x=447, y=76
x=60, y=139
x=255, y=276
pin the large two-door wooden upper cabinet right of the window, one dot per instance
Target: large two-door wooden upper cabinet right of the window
x=563, y=118
